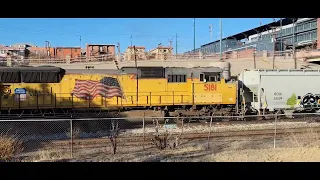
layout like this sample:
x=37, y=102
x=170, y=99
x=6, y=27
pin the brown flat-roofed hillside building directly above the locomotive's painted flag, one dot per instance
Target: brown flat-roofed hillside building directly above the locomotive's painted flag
x=100, y=49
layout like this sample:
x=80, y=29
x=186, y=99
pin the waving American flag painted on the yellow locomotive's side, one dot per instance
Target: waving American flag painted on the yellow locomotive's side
x=107, y=87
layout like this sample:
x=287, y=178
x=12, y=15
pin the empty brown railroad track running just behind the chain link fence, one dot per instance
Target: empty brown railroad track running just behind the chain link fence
x=147, y=139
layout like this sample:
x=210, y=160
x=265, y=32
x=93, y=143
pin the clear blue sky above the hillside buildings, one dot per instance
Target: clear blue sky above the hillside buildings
x=148, y=32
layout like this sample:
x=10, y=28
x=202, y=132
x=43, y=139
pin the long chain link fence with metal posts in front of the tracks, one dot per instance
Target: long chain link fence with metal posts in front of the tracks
x=153, y=138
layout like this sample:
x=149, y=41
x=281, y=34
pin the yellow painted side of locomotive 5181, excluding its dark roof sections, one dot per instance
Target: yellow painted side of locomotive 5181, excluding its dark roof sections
x=104, y=91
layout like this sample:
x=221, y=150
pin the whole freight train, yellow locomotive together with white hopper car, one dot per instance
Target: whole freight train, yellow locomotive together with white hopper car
x=183, y=91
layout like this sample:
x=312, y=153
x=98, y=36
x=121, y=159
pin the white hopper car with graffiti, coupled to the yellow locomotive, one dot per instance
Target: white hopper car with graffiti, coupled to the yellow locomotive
x=280, y=90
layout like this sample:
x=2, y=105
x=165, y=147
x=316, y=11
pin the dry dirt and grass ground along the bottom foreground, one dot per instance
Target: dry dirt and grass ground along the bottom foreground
x=289, y=148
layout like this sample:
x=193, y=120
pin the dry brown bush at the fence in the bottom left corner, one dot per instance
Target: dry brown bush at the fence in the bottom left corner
x=9, y=147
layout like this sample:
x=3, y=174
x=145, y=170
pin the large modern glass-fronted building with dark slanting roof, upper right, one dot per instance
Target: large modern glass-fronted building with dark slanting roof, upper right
x=277, y=35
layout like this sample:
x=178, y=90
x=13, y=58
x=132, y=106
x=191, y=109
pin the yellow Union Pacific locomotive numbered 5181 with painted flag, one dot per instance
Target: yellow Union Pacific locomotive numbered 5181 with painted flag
x=55, y=88
